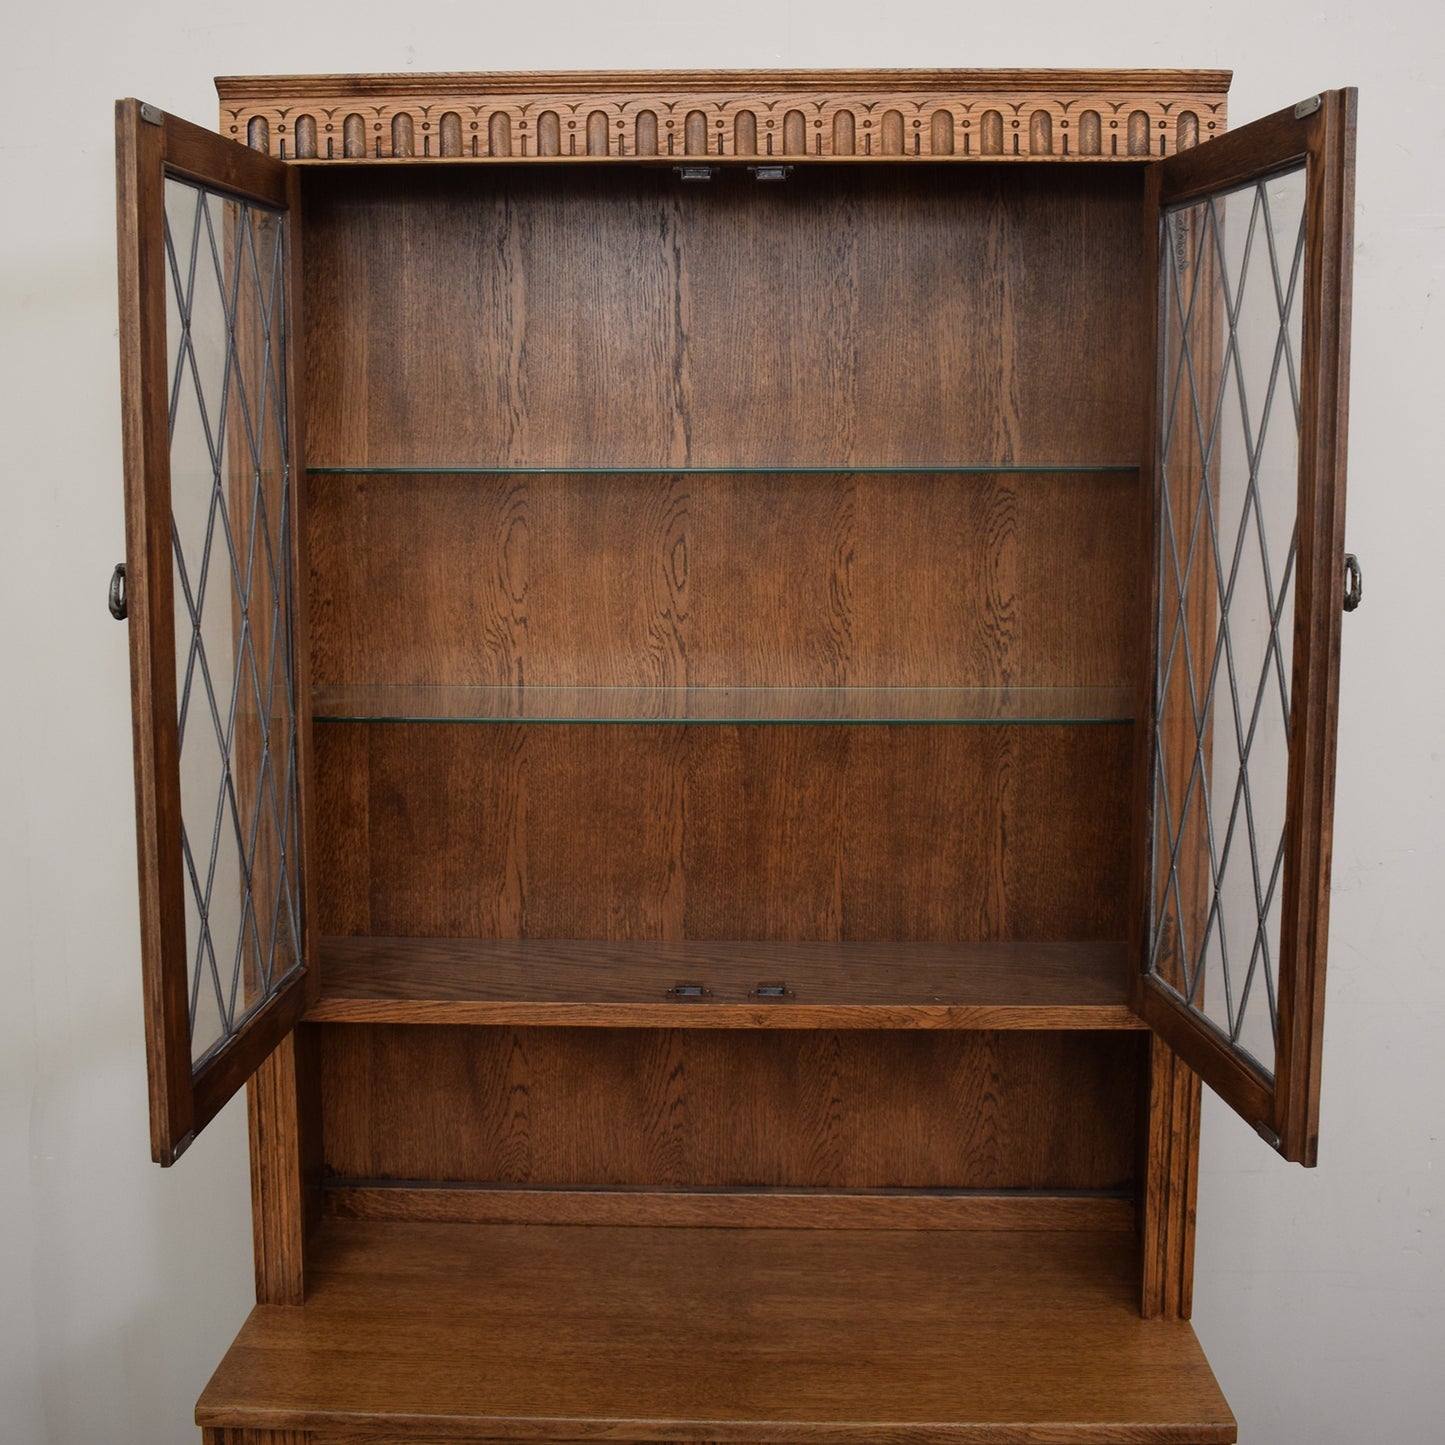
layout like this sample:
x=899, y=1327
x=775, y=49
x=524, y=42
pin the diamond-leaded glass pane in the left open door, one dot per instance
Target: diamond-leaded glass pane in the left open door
x=232, y=518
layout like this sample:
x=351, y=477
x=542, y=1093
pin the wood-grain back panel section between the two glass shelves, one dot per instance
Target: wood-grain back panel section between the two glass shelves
x=725, y=580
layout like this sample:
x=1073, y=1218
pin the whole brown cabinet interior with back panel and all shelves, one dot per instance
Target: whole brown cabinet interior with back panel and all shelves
x=704, y=567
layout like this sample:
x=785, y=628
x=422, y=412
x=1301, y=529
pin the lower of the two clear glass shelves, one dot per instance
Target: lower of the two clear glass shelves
x=700, y=706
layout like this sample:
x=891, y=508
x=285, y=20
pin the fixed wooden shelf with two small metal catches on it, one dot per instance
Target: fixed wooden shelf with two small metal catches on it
x=830, y=986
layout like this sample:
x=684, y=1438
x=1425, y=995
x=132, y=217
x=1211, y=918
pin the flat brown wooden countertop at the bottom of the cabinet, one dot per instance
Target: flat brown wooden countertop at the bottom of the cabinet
x=454, y=1332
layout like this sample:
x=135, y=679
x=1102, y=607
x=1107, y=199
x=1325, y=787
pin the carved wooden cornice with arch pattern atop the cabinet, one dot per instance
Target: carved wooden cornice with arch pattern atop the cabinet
x=800, y=116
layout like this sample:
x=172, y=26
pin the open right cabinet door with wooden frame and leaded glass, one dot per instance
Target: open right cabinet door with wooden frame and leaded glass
x=1252, y=241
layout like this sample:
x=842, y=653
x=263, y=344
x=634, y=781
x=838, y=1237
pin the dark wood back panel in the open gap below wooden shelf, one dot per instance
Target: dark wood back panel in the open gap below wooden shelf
x=712, y=1109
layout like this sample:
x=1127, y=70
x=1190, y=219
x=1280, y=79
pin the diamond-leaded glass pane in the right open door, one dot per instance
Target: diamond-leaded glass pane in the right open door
x=1229, y=473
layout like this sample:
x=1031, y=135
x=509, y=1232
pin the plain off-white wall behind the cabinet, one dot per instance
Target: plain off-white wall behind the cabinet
x=1321, y=1297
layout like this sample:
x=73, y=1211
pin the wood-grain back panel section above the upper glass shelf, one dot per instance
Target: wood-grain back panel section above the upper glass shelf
x=973, y=314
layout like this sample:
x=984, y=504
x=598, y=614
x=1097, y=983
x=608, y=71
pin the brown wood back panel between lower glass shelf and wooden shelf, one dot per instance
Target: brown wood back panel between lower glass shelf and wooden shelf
x=754, y=833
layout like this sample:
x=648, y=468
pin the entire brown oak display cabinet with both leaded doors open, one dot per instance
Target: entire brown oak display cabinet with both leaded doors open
x=735, y=696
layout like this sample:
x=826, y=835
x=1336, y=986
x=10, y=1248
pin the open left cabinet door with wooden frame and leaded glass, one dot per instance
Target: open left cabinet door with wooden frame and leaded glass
x=209, y=275
